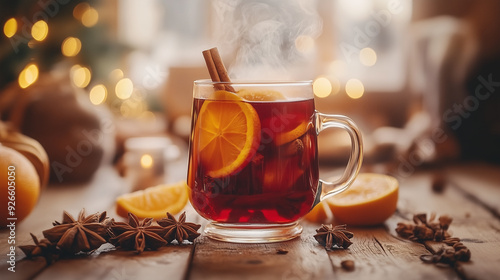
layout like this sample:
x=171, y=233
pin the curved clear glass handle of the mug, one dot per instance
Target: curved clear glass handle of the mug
x=328, y=189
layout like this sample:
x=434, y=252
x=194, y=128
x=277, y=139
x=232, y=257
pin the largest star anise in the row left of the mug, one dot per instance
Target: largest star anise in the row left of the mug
x=84, y=234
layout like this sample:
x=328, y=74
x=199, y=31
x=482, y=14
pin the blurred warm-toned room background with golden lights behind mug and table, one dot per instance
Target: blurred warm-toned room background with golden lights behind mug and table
x=421, y=78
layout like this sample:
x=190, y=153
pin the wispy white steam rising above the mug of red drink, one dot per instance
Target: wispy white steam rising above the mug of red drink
x=261, y=35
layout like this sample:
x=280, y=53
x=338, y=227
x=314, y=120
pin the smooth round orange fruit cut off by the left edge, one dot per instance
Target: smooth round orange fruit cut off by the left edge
x=20, y=186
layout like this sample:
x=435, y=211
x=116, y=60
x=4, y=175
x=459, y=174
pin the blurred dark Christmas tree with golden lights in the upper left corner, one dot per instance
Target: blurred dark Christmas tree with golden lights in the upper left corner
x=76, y=36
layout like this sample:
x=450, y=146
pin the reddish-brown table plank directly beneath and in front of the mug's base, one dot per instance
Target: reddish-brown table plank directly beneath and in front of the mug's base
x=305, y=259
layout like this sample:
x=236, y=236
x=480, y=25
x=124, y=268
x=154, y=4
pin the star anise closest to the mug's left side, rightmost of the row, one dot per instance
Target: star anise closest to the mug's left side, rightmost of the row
x=179, y=230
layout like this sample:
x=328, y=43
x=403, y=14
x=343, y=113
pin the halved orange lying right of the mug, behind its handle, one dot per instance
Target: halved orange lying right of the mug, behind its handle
x=370, y=200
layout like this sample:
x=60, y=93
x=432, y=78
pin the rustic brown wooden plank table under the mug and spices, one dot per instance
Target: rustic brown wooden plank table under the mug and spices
x=471, y=197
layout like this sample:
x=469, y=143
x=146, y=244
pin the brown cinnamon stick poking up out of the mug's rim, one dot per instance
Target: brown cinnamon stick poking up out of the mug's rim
x=217, y=70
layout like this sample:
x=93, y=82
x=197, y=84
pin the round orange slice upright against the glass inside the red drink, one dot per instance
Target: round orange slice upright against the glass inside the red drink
x=227, y=134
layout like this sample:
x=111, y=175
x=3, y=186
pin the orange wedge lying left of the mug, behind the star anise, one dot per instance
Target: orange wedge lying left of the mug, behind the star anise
x=154, y=202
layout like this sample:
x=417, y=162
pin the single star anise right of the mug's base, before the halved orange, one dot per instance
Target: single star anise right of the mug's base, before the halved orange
x=329, y=236
